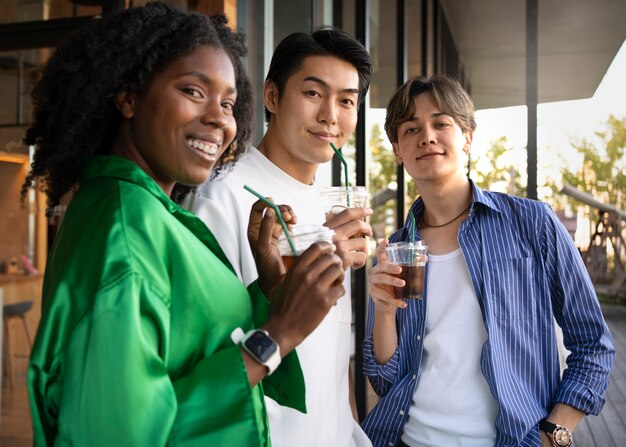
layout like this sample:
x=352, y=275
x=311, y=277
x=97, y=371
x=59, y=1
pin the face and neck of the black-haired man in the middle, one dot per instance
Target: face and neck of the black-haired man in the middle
x=318, y=106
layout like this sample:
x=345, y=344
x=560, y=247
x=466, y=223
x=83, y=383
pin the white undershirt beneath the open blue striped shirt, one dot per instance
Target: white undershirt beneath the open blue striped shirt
x=452, y=404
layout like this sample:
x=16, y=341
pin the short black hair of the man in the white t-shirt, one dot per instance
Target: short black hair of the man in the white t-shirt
x=290, y=53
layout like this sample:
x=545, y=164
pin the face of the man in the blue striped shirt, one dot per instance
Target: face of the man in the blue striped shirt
x=432, y=145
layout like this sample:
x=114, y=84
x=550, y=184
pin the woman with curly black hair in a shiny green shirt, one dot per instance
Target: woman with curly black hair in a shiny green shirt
x=139, y=340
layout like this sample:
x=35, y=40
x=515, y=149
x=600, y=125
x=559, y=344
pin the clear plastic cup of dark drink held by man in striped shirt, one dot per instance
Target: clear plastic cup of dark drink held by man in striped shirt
x=412, y=258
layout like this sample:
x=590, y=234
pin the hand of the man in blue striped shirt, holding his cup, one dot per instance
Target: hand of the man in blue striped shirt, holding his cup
x=382, y=282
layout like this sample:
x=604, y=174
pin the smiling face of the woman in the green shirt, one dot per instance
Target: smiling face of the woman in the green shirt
x=178, y=129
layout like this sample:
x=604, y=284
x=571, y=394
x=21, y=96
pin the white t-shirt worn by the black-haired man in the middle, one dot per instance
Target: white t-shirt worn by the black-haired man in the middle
x=224, y=205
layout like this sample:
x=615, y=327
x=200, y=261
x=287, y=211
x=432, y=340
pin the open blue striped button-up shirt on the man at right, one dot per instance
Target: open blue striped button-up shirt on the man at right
x=526, y=272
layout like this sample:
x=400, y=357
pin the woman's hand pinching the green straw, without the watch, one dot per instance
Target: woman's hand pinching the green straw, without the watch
x=263, y=231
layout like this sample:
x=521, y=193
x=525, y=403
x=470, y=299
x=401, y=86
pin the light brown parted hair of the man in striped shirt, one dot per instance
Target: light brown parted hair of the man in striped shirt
x=449, y=96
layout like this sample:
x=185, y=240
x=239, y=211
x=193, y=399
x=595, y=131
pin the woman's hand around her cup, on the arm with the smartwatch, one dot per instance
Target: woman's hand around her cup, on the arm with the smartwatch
x=311, y=288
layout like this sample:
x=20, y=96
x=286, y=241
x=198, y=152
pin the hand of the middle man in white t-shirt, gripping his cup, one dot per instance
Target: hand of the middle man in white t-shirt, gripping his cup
x=350, y=231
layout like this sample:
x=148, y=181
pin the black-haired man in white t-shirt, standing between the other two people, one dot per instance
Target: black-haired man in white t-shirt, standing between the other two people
x=314, y=86
